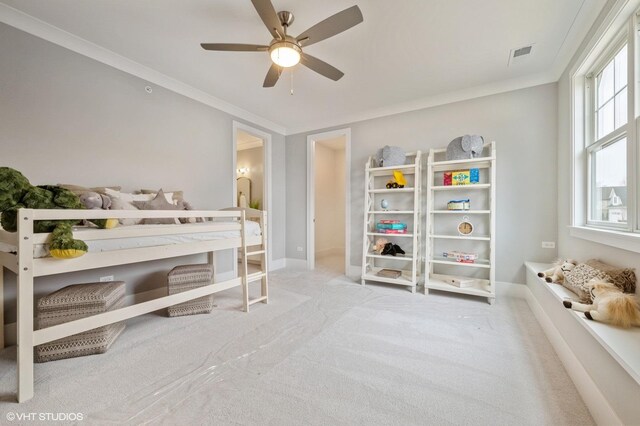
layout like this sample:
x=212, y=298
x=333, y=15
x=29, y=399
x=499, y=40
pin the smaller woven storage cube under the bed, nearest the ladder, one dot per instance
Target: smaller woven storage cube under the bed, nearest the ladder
x=188, y=277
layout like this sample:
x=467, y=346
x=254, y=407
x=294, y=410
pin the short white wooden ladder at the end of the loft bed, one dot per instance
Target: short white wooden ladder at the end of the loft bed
x=261, y=275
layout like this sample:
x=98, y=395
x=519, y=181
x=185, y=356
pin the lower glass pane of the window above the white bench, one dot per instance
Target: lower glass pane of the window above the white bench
x=609, y=191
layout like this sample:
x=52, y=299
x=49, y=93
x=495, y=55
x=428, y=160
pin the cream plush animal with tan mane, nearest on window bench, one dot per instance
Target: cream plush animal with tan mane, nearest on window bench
x=609, y=305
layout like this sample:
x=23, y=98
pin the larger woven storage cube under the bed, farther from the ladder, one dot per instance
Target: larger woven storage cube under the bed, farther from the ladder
x=75, y=302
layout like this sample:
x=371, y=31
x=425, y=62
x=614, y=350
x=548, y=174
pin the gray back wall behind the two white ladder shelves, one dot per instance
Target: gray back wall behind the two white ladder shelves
x=524, y=125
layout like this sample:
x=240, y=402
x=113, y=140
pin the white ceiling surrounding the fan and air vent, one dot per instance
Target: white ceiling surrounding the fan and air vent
x=406, y=54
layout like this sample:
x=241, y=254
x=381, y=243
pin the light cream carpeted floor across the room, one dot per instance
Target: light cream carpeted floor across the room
x=324, y=351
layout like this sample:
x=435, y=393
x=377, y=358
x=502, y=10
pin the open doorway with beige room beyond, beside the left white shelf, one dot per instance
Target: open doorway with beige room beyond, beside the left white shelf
x=328, y=230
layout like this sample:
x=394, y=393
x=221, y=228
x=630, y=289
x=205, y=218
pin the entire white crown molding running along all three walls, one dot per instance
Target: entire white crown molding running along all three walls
x=575, y=34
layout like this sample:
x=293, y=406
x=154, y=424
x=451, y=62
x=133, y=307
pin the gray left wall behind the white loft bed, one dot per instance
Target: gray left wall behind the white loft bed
x=68, y=119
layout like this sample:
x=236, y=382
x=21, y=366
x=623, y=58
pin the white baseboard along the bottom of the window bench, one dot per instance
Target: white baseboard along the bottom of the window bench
x=595, y=401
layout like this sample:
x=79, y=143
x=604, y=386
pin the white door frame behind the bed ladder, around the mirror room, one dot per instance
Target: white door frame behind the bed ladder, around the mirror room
x=266, y=202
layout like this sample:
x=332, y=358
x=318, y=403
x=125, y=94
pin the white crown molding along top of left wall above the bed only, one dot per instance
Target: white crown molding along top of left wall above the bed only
x=55, y=35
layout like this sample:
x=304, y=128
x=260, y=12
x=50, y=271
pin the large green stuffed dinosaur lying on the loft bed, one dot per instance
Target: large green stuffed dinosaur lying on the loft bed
x=16, y=192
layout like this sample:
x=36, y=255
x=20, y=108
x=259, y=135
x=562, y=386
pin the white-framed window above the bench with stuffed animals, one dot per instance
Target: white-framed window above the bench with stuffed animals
x=605, y=155
